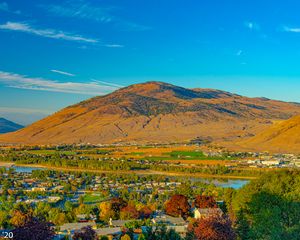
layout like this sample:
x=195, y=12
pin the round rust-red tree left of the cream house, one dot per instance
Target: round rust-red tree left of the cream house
x=178, y=205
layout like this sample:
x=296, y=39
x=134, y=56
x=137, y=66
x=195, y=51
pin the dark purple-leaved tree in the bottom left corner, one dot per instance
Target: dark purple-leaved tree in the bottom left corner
x=35, y=230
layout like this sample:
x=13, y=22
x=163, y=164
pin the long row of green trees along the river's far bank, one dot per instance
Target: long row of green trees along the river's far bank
x=108, y=164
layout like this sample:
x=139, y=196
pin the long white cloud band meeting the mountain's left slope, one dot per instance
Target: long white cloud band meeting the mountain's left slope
x=15, y=80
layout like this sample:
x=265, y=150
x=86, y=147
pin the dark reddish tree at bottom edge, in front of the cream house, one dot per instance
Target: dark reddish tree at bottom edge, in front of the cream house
x=212, y=228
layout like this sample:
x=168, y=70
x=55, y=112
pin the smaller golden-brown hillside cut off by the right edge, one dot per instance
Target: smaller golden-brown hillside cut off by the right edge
x=283, y=136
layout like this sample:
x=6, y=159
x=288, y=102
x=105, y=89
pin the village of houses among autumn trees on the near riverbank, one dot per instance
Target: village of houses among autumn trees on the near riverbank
x=82, y=198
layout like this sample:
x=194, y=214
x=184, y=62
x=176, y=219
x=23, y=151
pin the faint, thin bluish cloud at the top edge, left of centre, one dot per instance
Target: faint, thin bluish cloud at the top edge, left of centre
x=84, y=10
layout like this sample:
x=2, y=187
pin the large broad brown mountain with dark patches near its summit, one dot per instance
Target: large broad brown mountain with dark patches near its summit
x=156, y=112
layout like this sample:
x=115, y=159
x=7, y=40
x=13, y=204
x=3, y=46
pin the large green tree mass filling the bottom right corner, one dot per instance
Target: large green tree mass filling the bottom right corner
x=270, y=206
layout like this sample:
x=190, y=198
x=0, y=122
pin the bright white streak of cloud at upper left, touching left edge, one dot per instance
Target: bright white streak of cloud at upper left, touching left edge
x=48, y=33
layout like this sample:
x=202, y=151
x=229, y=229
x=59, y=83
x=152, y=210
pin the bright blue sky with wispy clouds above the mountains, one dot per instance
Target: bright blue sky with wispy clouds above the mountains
x=55, y=53
